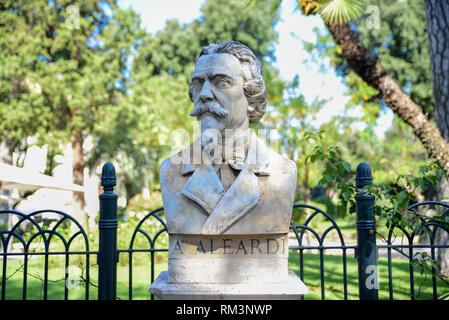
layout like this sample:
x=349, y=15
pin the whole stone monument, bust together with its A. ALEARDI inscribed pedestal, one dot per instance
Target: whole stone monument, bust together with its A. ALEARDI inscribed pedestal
x=228, y=197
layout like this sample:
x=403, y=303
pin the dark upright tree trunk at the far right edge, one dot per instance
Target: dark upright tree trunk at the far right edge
x=437, y=16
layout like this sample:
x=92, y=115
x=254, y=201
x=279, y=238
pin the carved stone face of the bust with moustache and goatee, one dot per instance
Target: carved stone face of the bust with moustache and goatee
x=217, y=93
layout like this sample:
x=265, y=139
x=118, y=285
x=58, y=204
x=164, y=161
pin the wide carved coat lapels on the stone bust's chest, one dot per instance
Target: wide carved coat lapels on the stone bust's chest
x=225, y=208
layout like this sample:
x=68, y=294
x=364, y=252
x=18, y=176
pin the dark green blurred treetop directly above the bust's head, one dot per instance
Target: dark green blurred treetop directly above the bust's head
x=174, y=48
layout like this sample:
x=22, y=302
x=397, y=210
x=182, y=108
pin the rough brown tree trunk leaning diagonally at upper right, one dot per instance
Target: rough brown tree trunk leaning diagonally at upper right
x=372, y=72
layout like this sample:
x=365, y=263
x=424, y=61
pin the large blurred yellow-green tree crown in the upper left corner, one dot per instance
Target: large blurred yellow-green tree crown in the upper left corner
x=59, y=80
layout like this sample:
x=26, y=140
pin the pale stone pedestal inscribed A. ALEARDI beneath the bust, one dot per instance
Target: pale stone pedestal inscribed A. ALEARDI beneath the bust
x=228, y=267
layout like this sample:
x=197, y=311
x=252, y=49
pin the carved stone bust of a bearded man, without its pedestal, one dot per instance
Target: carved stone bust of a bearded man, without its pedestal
x=228, y=181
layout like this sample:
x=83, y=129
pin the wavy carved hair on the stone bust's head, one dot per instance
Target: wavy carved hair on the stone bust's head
x=251, y=69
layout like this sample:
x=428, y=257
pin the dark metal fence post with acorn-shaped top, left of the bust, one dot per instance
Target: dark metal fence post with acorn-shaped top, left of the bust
x=107, y=255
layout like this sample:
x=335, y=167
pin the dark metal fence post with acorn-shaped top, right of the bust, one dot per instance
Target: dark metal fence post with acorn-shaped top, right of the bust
x=366, y=236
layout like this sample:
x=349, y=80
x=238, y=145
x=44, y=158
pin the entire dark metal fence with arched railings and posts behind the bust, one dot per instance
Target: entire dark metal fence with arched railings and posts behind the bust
x=365, y=250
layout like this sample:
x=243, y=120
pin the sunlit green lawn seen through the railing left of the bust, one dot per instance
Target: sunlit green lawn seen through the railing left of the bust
x=141, y=278
